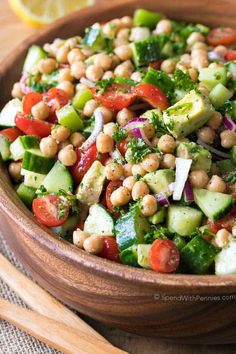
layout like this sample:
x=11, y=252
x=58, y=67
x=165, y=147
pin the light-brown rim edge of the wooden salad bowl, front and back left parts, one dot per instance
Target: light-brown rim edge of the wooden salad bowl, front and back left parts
x=23, y=218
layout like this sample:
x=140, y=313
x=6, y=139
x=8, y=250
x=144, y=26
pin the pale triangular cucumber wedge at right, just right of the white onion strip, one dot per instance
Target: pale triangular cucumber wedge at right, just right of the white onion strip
x=213, y=204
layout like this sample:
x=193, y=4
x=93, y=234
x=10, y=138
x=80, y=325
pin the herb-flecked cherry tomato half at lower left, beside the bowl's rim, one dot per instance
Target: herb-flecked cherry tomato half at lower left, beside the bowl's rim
x=50, y=210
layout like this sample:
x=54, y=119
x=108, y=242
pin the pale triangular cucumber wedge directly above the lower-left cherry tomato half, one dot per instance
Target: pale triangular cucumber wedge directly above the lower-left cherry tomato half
x=58, y=178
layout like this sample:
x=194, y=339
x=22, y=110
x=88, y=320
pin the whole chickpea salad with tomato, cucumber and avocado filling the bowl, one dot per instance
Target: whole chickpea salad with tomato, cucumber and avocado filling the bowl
x=123, y=142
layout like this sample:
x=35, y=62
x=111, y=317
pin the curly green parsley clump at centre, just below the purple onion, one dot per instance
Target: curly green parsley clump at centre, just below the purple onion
x=138, y=150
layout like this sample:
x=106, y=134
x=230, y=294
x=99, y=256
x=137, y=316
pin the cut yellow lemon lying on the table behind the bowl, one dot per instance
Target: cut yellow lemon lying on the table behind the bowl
x=39, y=13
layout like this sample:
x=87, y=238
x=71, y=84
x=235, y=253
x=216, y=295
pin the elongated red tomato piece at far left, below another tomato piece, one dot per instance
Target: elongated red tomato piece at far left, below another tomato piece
x=32, y=127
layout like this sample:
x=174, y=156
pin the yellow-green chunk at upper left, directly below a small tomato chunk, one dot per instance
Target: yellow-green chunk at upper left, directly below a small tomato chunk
x=68, y=117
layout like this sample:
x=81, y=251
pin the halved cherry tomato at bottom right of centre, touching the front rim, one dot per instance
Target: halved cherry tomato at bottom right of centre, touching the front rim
x=164, y=256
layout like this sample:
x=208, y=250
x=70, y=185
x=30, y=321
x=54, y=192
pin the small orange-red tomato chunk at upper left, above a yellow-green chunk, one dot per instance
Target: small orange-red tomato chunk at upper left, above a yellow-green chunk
x=56, y=98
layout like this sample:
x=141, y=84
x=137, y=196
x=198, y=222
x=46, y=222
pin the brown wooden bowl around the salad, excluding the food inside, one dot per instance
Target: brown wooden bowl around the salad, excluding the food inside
x=183, y=308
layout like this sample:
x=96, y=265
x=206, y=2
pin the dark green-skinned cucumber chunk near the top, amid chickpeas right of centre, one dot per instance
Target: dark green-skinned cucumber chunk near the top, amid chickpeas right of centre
x=146, y=51
